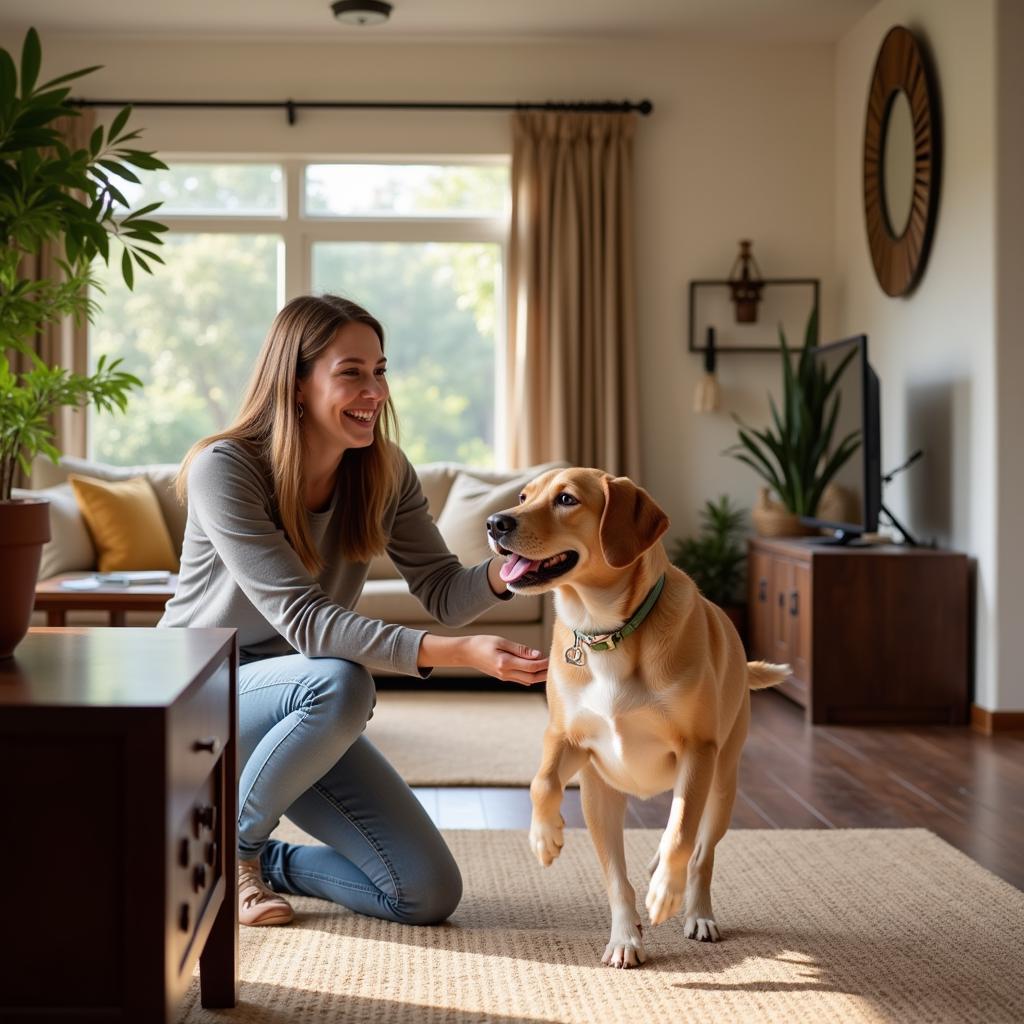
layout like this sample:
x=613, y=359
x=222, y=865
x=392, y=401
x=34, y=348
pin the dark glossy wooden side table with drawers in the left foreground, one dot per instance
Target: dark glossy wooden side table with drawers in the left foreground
x=119, y=796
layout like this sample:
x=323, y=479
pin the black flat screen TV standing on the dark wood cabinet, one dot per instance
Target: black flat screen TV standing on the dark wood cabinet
x=861, y=476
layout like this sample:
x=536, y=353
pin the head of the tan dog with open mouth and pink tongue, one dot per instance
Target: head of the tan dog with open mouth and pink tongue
x=582, y=526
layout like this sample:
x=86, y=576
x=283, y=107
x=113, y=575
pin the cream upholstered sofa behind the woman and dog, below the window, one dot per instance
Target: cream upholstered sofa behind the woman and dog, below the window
x=460, y=499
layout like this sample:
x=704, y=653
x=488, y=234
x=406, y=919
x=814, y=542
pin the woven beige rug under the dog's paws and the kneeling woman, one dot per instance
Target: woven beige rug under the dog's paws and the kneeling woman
x=848, y=926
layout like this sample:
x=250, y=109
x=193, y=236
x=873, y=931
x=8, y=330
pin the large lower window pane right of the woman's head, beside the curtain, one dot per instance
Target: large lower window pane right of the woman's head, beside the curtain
x=438, y=305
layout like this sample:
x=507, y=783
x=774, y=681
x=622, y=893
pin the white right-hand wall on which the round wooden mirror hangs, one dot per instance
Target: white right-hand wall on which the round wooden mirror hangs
x=942, y=351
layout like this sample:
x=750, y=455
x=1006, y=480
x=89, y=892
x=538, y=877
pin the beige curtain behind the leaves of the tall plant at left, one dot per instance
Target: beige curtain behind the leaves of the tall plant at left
x=64, y=344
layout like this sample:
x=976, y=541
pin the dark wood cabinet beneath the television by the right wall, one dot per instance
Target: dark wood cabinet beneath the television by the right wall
x=873, y=634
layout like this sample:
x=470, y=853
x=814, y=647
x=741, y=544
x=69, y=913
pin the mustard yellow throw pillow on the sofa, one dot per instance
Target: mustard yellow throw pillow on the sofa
x=126, y=525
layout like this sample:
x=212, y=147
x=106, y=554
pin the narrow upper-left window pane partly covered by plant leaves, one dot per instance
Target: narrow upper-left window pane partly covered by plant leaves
x=211, y=190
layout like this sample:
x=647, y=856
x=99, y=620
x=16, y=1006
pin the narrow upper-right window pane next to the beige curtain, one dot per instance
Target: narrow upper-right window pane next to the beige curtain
x=406, y=191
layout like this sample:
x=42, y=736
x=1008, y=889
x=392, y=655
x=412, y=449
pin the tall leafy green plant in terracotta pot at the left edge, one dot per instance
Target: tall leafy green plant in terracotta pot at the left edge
x=69, y=199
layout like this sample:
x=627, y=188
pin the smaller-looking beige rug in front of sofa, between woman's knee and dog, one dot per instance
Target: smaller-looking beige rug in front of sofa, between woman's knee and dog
x=461, y=739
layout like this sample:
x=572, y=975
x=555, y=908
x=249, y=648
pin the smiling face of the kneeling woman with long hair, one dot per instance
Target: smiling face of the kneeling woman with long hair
x=346, y=391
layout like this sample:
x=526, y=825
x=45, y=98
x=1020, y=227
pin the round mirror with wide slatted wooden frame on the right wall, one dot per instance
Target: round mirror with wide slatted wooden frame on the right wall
x=902, y=163
